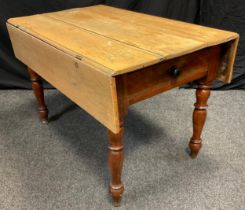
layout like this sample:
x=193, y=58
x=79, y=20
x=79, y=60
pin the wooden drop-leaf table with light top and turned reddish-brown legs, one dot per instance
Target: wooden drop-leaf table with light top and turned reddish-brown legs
x=105, y=59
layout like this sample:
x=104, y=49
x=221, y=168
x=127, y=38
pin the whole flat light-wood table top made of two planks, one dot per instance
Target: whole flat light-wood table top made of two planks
x=118, y=41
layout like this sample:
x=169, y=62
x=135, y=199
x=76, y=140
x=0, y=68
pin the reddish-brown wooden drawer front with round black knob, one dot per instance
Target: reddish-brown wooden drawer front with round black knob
x=152, y=80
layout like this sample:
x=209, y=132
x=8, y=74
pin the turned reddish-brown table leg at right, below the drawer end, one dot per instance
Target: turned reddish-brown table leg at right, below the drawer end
x=199, y=117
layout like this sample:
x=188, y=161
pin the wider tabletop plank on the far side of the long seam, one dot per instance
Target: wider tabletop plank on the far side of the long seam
x=168, y=38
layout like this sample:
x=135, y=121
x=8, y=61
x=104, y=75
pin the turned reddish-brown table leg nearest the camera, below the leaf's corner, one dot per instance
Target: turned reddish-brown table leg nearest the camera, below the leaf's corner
x=115, y=161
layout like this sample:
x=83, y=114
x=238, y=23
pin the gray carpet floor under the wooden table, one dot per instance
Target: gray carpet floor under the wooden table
x=63, y=165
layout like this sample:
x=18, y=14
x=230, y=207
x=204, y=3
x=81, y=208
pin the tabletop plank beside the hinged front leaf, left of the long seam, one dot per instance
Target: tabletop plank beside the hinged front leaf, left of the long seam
x=107, y=54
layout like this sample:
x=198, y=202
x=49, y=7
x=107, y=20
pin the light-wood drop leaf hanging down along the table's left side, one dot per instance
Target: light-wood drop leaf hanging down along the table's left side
x=91, y=90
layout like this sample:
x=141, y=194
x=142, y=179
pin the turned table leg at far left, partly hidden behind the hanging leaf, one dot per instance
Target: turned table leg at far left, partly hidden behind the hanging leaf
x=38, y=91
